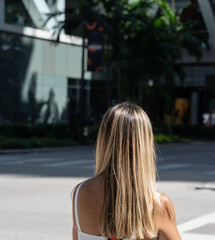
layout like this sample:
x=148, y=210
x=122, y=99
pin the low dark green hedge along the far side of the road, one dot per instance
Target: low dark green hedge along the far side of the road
x=40, y=136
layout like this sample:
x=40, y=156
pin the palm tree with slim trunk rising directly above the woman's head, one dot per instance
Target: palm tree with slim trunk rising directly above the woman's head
x=116, y=17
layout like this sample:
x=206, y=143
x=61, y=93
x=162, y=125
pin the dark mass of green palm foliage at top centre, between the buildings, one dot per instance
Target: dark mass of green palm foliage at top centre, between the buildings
x=140, y=44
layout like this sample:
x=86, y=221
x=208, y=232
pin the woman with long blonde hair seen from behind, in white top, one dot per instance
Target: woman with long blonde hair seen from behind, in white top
x=121, y=200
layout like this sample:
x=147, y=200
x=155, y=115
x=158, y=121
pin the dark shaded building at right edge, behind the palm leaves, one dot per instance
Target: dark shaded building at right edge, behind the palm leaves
x=195, y=102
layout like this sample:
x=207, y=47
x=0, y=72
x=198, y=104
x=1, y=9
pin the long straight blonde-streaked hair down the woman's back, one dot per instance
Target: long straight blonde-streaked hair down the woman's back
x=125, y=157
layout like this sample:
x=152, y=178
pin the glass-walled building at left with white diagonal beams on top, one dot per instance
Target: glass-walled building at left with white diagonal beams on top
x=39, y=80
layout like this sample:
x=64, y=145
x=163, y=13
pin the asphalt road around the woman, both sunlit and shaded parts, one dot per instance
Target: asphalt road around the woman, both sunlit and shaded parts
x=35, y=189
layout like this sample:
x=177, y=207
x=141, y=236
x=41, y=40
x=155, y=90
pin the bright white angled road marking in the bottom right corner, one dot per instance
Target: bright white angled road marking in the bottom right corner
x=197, y=223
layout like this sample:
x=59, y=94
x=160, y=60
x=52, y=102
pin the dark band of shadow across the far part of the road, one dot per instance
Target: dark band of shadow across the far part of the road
x=192, y=162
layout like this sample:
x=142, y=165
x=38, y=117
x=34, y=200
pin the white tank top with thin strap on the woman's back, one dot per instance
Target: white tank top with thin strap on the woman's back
x=82, y=235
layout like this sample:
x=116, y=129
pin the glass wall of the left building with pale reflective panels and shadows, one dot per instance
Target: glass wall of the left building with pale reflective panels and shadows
x=34, y=78
